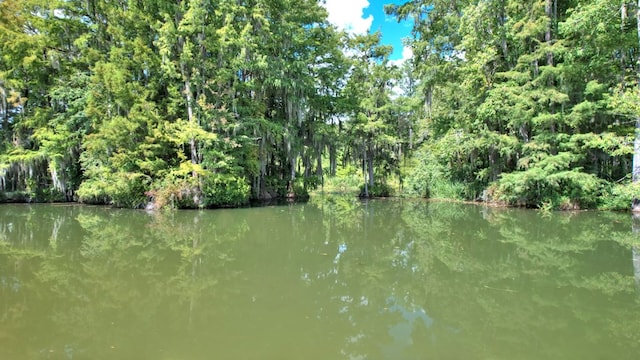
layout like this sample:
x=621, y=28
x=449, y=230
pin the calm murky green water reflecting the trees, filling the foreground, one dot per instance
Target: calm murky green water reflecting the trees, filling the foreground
x=332, y=279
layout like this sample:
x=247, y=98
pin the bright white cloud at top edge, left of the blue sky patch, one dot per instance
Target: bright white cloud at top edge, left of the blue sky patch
x=348, y=15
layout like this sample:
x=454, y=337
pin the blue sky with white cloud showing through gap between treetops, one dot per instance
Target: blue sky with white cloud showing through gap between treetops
x=358, y=16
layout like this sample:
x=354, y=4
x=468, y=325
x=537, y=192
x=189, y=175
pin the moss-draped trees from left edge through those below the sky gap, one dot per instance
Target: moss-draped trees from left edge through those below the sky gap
x=185, y=103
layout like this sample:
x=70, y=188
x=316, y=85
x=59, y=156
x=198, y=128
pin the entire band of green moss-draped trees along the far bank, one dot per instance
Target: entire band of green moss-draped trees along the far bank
x=214, y=103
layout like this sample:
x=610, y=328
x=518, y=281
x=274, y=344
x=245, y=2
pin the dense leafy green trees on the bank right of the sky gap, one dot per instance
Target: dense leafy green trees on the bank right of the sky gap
x=530, y=102
